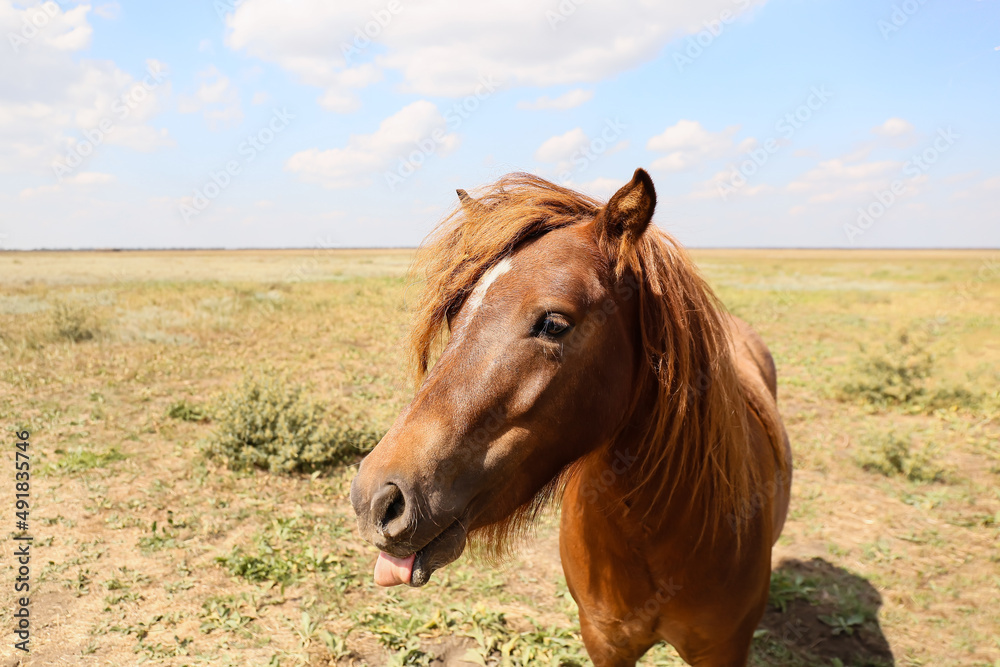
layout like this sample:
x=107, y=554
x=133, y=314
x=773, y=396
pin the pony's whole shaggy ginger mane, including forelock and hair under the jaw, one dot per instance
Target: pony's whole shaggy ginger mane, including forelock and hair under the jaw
x=694, y=438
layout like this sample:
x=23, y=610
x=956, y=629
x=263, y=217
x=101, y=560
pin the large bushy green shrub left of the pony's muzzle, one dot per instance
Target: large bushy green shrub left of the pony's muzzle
x=267, y=422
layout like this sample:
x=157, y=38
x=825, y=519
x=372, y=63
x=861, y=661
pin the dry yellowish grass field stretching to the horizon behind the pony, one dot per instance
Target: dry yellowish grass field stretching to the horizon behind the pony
x=147, y=550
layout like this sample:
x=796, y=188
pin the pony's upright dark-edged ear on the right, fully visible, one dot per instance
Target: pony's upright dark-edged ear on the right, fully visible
x=623, y=220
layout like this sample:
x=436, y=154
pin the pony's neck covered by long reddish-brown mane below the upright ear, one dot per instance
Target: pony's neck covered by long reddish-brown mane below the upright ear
x=681, y=452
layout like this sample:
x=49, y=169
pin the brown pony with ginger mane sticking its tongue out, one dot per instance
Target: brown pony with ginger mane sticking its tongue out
x=579, y=354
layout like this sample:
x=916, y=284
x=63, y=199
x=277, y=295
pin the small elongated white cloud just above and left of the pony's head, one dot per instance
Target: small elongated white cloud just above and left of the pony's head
x=414, y=128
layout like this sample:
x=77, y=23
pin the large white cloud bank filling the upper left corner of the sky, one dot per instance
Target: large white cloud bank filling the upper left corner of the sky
x=52, y=102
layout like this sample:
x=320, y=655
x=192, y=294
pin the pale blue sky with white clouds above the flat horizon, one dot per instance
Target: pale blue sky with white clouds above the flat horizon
x=271, y=123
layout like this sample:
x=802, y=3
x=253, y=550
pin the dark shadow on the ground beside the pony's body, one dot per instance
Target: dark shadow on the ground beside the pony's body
x=821, y=614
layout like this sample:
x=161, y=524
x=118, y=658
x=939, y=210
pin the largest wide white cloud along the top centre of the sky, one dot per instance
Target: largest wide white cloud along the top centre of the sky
x=442, y=48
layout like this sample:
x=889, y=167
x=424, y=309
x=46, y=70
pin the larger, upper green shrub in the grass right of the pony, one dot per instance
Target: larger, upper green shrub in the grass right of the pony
x=894, y=376
